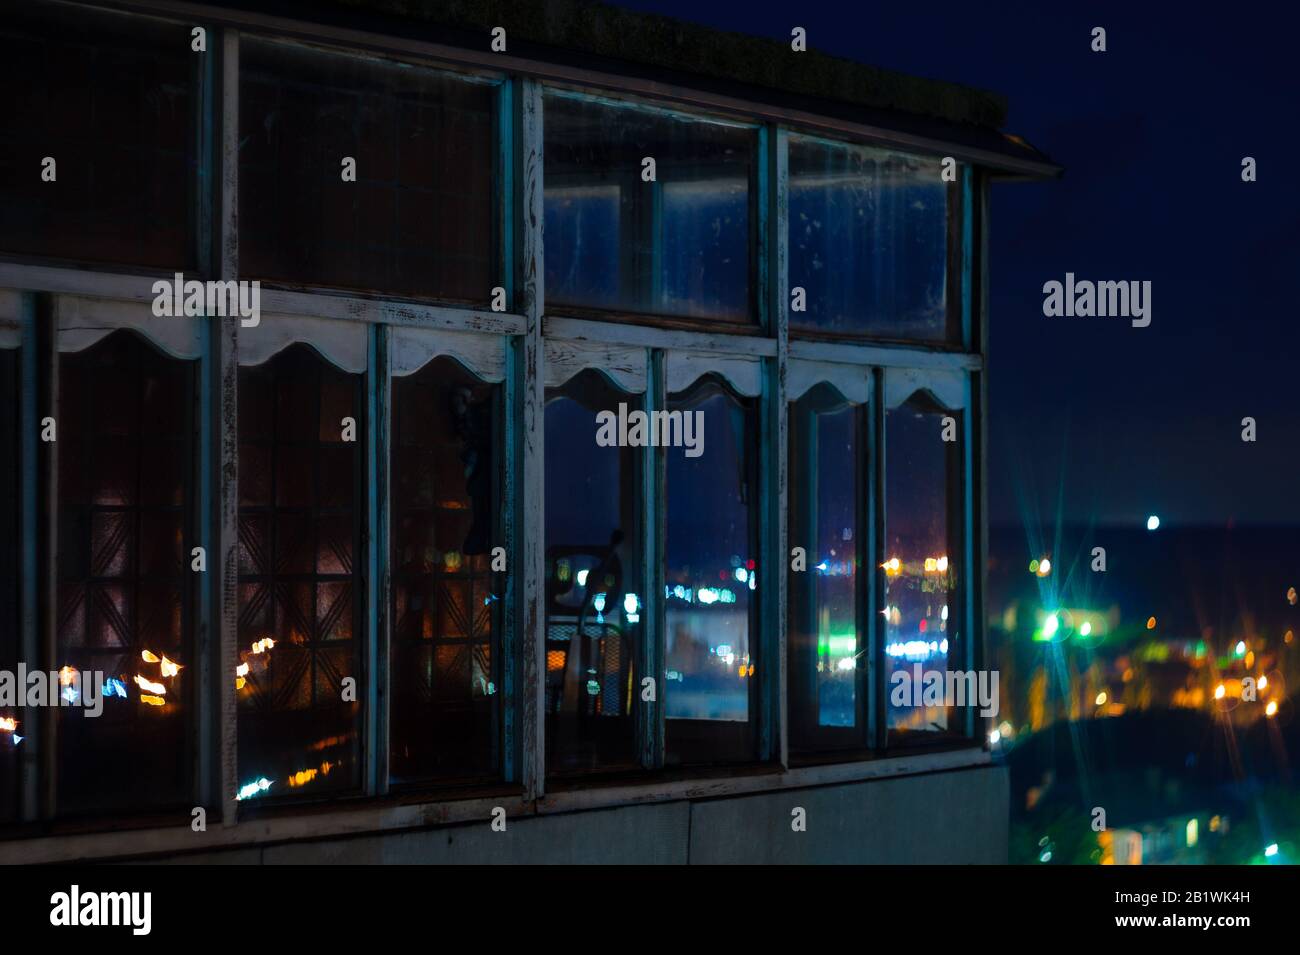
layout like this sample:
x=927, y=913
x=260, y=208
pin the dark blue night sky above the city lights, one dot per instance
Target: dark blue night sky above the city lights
x=1152, y=134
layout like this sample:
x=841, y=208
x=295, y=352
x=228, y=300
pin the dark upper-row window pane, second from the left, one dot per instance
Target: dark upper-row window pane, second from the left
x=418, y=222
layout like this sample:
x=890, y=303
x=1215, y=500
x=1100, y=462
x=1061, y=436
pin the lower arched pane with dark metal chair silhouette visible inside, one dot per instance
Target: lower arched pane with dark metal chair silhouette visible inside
x=593, y=581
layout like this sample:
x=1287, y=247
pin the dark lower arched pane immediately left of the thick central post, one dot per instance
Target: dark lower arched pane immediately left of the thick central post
x=447, y=601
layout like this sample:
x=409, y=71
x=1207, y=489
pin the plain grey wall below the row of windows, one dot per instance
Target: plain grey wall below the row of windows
x=957, y=817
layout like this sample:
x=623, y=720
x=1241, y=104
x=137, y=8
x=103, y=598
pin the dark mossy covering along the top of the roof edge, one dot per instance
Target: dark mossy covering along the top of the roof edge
x=603, y=31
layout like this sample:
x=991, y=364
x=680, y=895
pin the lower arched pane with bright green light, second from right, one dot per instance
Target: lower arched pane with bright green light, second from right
x=827, y=474
